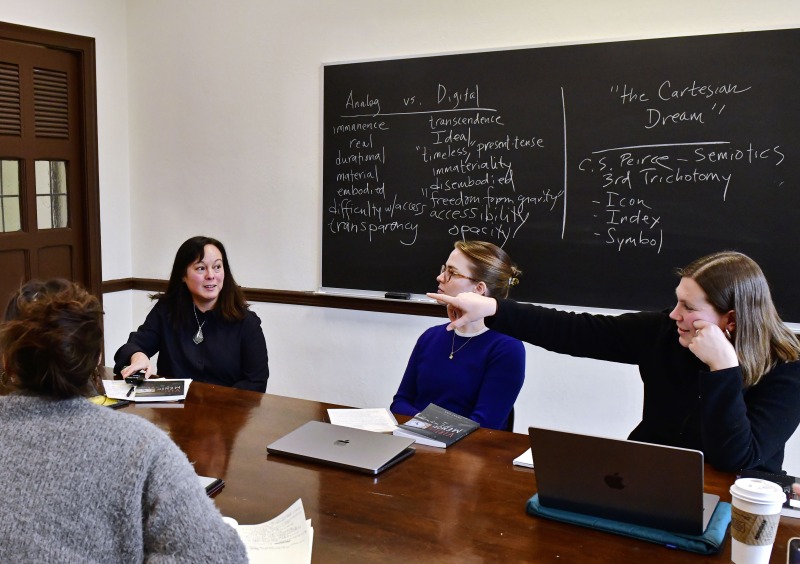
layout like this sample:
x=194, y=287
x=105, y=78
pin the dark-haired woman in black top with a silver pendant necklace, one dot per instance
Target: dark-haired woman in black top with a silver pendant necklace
x=201, y=326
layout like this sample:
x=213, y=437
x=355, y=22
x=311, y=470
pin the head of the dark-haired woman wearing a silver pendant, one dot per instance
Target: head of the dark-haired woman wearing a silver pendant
x=201, y=276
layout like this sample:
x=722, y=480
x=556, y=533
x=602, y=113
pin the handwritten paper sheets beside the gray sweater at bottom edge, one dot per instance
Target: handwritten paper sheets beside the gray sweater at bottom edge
x=285, y=539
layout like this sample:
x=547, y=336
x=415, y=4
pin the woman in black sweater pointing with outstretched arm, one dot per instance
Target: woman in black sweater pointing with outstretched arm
x=728, y=385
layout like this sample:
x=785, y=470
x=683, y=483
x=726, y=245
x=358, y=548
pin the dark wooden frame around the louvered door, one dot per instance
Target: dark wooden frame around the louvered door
x=84, y=49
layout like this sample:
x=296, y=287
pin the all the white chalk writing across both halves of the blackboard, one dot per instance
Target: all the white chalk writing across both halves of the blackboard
x=470, y=189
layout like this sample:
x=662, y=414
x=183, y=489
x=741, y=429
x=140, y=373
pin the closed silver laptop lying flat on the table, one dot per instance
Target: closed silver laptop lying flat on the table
x=354, y=449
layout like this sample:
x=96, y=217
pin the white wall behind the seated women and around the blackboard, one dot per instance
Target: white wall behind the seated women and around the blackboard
x=212, y=125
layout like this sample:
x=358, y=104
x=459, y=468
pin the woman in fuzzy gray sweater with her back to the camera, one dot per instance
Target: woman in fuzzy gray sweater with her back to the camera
x=84, y=483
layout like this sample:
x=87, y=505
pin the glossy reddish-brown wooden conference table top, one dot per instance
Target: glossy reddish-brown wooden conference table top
x=464, y=504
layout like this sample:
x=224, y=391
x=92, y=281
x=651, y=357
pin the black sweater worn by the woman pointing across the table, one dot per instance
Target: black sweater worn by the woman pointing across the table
x=685, y=405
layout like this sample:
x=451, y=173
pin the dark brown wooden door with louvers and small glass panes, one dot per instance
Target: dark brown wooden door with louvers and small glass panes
x=45, y=223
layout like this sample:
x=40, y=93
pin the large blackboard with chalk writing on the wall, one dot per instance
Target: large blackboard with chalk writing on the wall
x=599, y=167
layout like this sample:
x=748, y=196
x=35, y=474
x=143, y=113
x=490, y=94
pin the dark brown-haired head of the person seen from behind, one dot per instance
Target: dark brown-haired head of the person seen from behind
x=52, y=339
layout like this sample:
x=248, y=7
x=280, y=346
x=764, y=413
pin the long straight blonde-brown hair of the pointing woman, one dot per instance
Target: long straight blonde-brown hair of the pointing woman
x=733, y=281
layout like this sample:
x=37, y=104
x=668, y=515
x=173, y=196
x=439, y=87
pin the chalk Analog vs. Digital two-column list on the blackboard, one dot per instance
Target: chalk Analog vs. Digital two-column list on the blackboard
x=469, y=189
